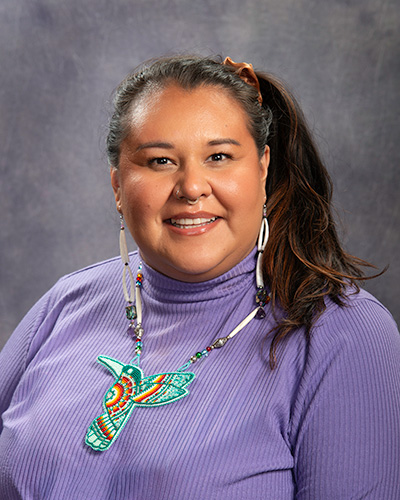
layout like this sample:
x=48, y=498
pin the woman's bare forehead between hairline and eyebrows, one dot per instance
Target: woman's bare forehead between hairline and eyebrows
x=206, y=107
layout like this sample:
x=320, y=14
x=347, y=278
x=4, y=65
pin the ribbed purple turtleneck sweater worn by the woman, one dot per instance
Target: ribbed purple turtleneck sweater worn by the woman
x=323, y=425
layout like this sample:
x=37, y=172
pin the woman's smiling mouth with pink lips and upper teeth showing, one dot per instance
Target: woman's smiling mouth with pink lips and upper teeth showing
x=192, y=223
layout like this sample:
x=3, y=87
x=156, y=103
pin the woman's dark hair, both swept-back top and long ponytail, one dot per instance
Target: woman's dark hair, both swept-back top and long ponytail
x=303, y=262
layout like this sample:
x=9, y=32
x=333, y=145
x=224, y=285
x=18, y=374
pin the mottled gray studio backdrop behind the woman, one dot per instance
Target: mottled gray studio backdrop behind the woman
x=60, y=60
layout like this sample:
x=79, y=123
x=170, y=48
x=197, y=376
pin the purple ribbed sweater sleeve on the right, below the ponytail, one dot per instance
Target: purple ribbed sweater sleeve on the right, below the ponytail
x=346, y=440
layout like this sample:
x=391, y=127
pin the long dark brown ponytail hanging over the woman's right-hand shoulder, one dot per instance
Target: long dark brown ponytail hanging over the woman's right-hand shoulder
x=303, y=261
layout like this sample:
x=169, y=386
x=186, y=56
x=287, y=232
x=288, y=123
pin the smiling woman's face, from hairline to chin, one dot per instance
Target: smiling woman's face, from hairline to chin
x=196, y=142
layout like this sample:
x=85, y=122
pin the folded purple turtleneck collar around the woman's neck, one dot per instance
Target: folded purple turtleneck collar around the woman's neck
x=165, y=289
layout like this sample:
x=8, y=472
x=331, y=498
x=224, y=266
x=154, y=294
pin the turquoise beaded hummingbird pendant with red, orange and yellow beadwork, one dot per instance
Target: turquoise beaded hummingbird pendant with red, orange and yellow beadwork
x=132, y=389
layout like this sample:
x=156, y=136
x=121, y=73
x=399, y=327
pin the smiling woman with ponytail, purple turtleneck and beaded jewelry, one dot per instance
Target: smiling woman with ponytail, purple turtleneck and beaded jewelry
x=246, y=366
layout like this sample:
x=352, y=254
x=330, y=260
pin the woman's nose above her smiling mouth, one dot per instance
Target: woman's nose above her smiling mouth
x=192, y=182
